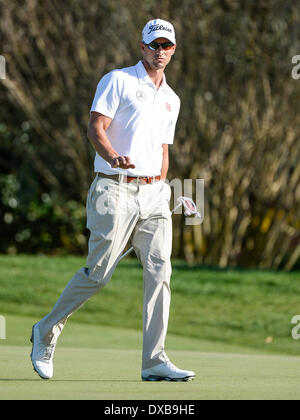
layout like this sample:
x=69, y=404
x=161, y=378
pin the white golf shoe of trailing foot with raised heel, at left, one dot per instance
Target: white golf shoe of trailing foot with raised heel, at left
x=41, y=355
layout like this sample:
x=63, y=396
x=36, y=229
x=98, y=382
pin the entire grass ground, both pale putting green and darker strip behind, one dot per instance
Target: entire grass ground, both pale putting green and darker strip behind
x=232, y=327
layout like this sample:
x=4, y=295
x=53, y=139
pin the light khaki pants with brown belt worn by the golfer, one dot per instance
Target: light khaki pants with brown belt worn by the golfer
x=116, y=212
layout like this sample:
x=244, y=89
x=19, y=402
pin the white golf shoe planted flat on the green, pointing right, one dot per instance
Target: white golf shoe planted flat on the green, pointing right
x=167, y=372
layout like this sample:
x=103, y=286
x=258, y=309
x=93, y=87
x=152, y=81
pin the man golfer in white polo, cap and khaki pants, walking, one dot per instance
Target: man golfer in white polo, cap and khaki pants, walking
x=132, y=122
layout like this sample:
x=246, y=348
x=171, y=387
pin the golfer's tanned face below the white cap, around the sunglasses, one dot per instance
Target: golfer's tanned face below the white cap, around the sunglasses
x=159, y=58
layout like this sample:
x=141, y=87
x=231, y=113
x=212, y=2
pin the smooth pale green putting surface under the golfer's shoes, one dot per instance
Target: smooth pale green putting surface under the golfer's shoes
x=103, y=363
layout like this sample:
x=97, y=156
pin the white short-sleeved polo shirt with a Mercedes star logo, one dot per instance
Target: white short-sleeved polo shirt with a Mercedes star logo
x=143, y=118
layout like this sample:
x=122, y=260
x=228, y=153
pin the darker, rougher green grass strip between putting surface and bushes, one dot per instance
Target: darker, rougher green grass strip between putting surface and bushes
x=243, y=308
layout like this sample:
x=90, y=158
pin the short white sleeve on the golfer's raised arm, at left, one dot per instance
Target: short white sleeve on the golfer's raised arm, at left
x=107, y=96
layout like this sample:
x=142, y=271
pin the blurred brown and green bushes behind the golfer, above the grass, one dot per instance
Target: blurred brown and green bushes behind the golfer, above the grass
x=239, y=125
